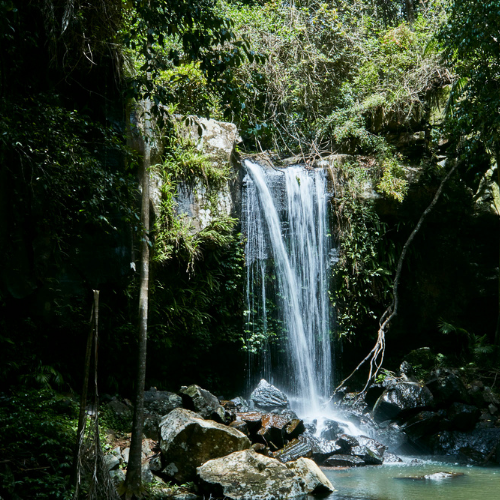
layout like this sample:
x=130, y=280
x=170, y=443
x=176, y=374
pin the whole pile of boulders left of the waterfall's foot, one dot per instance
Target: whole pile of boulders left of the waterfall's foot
x=214, y=444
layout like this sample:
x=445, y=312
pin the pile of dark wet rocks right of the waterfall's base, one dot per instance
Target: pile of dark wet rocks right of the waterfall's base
x=440, y=416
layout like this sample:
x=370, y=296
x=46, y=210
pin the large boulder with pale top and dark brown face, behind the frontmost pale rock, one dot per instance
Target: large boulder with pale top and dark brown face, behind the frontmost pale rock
x=187, y=441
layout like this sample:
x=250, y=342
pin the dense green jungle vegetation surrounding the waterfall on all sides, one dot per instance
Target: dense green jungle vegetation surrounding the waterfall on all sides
x=393, y=87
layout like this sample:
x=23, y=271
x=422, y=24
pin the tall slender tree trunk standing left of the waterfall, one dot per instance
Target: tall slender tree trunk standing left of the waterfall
x=133, y=481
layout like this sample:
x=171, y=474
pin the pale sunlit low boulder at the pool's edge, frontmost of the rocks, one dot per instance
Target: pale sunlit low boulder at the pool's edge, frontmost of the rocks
x=246, y=475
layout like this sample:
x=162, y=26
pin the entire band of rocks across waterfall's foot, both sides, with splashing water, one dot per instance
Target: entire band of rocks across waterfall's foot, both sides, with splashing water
x=261, y=449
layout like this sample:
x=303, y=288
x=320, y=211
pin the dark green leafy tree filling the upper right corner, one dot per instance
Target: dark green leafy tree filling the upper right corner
x=471, y=42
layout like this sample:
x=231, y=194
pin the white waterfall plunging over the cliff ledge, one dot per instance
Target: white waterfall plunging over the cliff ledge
x=285, y=221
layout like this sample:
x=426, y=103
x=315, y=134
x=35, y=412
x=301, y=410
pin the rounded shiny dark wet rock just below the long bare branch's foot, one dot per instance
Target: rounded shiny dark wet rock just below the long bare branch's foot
x=402, y=399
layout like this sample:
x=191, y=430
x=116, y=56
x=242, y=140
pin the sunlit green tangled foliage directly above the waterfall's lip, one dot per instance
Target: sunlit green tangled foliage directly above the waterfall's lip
x=335, y=75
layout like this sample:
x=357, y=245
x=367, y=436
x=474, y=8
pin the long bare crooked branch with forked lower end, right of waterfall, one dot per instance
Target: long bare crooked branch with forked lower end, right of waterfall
x=376, y=355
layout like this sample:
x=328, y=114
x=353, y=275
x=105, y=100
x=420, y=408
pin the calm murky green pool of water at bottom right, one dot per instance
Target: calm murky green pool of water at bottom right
x=385, y=483
